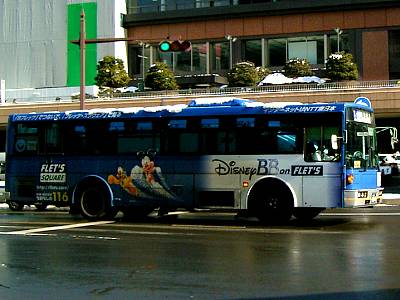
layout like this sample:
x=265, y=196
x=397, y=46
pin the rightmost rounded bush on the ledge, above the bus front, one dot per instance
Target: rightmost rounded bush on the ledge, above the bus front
x=340, y=66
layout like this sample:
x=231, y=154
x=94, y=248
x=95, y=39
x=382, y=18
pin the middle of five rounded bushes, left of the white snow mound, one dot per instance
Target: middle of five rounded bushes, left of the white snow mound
x=243, y=74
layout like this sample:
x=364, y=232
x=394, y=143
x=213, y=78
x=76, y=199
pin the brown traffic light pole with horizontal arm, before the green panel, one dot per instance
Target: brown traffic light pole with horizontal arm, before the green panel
x=82, y=45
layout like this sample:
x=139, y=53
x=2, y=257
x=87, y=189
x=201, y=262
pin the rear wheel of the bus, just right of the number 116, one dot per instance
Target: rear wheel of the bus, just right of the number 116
x=94, y=202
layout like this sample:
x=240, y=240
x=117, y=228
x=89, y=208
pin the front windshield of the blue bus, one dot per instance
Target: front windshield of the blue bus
x=361, y=146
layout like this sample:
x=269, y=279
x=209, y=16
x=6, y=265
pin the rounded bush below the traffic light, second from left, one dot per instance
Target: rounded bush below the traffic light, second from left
x=159, y=77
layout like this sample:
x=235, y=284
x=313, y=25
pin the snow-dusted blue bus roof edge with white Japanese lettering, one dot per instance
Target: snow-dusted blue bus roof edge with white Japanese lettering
x=197, y=107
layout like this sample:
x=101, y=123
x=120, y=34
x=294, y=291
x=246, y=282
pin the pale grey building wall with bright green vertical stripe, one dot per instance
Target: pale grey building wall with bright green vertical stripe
x=35, y=47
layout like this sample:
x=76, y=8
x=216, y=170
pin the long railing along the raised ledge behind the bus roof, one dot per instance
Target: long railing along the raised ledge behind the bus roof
x=226, y=91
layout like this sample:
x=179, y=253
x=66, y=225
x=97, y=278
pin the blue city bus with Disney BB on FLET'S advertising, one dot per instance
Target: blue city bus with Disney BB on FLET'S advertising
x=270, y=160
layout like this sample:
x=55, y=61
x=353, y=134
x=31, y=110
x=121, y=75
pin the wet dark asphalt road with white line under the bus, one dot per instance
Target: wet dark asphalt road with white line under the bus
x=342, y=254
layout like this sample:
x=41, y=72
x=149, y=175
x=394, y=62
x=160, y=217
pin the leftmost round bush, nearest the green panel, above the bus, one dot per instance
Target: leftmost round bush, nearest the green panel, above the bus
x=111, y=74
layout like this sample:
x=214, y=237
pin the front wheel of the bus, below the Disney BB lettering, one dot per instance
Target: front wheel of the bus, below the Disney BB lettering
x=271, y=202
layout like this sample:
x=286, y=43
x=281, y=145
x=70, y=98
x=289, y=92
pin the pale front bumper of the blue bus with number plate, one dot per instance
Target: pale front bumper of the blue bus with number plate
x=363, y=198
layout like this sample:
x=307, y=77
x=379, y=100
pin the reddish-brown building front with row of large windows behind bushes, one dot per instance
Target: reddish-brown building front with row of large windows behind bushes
x=266, y=32
